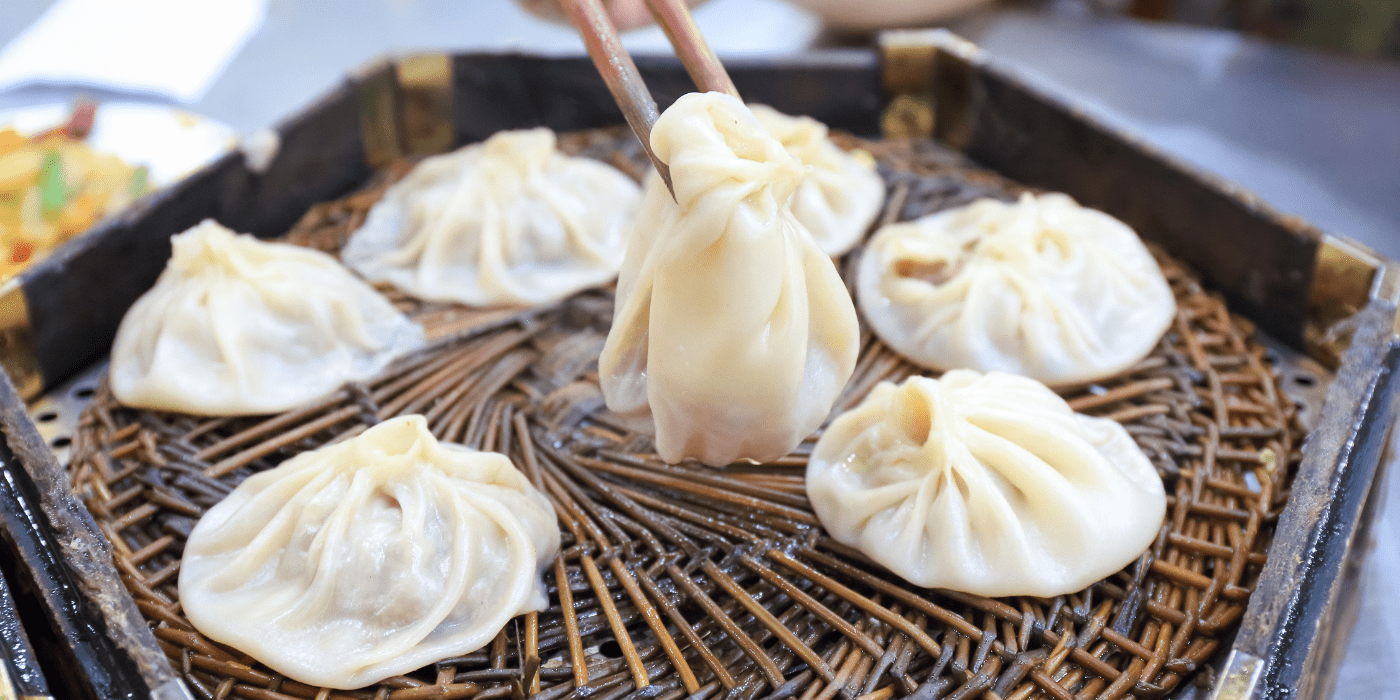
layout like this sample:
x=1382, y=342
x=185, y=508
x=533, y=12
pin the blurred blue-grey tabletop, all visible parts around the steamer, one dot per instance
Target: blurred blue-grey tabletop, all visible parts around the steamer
x=1314, y=135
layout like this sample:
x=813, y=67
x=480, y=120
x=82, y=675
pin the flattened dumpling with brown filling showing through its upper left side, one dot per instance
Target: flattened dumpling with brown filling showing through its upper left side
x=1041, y=288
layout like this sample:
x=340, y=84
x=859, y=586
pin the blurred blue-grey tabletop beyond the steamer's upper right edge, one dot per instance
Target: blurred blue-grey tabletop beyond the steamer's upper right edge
x=1311, y=134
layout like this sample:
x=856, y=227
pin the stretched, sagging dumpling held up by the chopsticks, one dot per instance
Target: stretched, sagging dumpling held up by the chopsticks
x=733, y=332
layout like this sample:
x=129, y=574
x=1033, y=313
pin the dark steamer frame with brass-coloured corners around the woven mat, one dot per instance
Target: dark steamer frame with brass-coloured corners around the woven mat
x=1317, y=293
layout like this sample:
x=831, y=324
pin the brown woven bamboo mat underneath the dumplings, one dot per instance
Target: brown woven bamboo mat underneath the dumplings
x=682, y=582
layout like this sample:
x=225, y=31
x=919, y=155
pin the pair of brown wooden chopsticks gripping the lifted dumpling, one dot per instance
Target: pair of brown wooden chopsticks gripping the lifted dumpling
x=621, y=72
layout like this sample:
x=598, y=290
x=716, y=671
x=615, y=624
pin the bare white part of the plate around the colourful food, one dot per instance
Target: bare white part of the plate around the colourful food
x=170, y=142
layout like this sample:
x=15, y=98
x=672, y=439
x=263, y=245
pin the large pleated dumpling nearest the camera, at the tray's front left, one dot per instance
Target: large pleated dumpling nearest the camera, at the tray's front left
x=370, y=558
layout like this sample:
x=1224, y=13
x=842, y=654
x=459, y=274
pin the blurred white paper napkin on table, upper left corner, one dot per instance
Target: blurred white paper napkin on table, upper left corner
x=171, y=48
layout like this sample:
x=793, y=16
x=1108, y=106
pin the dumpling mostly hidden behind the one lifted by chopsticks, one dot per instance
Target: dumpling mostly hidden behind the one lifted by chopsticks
x=841, y=195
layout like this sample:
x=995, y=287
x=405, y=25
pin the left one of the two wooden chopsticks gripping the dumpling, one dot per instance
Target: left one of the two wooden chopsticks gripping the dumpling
x=619, y=72
